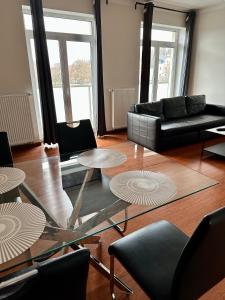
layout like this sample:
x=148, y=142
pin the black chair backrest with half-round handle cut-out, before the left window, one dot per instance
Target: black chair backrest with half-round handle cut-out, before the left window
x=75, y=140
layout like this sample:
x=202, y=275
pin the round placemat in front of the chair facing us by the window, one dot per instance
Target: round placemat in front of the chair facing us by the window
x=101, y=158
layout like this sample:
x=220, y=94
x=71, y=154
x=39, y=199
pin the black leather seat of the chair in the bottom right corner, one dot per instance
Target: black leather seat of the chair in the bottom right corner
x=150, y=255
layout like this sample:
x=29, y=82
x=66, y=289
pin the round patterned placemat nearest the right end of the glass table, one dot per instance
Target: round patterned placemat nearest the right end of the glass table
x=143, y=187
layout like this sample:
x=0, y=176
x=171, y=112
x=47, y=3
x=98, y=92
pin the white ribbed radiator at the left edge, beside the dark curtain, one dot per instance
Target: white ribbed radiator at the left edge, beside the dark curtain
x=16, y=118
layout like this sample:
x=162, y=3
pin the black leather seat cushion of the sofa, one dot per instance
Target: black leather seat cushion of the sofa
x=193, y=123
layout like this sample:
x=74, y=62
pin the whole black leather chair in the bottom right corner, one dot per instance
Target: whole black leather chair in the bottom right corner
x=167, y=264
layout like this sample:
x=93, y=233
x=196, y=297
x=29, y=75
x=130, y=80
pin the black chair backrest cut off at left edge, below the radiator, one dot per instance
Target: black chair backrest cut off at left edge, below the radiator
x=5, y=150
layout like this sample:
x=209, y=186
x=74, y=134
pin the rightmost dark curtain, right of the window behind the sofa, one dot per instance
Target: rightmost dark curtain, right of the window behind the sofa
x=186, y=65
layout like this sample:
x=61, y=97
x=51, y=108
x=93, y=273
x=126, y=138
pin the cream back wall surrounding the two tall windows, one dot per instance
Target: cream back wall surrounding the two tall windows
x=121, y=25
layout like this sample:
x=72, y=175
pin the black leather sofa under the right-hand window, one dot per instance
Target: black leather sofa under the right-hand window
x=172, y=122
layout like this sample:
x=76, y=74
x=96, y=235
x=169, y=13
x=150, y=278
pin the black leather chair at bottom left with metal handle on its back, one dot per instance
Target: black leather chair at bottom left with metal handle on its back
x=61, y=278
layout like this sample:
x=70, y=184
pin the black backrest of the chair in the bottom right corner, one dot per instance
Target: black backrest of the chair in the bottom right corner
x=202, y=263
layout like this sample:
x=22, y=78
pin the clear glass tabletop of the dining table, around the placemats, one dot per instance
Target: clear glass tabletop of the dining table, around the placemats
x=77, y=200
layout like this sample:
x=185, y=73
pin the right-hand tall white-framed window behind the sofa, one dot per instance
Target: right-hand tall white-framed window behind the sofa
x=163, y=62
